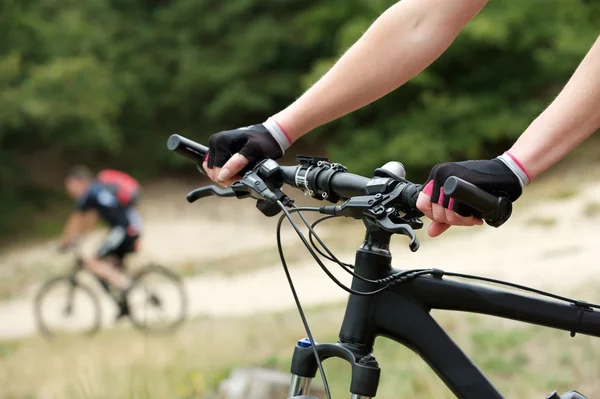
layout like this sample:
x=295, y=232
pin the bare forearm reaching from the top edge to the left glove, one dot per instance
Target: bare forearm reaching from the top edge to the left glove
x=401, y=43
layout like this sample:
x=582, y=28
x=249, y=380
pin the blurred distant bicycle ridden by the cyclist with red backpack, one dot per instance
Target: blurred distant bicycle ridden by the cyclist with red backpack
x=157, y=301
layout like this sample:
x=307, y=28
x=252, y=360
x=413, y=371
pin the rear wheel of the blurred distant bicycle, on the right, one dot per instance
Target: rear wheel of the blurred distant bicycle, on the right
x=157, y=300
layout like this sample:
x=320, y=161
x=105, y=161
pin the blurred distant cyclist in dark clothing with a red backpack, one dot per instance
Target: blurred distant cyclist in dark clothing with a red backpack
x=111, y=196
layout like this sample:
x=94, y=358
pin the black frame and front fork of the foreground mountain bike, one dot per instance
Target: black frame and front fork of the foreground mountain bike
x=402, y=313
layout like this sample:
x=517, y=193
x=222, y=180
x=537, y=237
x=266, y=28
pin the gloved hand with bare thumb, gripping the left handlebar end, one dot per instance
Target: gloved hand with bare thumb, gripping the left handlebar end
x=231, y=151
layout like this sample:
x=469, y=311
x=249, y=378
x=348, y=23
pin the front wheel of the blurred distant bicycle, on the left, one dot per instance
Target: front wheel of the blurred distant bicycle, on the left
x=65, y=305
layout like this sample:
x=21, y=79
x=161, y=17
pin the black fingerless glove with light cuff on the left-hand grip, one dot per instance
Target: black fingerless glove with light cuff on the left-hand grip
x=256, y=142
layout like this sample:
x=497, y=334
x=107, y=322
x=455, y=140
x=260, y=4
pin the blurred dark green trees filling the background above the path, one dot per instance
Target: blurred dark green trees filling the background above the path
x=105, y=82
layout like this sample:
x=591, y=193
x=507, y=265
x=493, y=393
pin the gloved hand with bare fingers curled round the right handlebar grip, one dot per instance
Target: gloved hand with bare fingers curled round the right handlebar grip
x=499, y=176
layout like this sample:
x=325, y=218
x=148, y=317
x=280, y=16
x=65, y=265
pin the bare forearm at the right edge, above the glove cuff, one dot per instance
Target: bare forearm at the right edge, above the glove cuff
x=571, y=118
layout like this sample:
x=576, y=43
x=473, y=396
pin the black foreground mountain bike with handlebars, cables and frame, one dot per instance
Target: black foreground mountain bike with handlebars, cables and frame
x=384, y=301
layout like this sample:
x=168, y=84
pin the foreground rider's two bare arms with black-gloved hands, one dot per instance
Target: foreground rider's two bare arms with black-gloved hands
x=403, y=41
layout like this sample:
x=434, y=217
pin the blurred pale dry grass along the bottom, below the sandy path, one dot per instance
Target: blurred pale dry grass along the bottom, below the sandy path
x=523, y=361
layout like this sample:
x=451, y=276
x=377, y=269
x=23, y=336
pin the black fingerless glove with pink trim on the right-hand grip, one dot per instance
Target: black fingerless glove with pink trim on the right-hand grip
x=501, y=176
